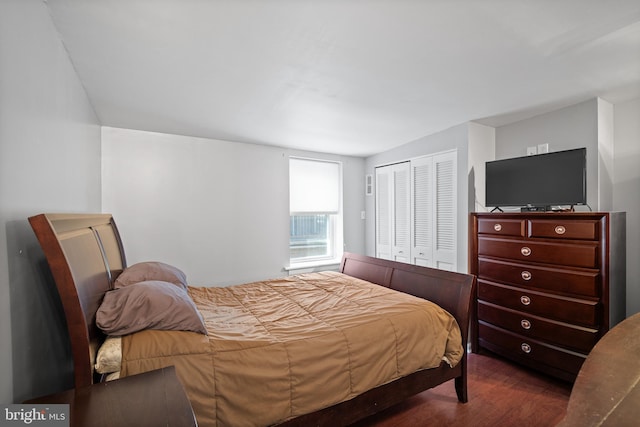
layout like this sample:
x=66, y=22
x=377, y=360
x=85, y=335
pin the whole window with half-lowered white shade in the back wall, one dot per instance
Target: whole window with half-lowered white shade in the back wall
x=315, y=209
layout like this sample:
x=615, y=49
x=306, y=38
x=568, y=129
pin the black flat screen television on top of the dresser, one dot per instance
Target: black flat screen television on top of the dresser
x=540, y=181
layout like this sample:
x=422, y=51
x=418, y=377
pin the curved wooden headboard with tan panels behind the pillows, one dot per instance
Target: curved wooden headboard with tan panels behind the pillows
x=85, y=254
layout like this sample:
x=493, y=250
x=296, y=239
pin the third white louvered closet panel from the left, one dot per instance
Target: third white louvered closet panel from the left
x=422, y=222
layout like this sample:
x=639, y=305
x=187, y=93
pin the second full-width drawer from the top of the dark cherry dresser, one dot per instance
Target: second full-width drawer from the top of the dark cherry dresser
x=562, y=280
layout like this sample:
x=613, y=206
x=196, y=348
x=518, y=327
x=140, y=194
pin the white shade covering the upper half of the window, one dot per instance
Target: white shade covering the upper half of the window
x=314, y=186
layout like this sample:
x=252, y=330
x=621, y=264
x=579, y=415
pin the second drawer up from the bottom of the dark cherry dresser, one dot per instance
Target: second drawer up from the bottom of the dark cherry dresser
x=528, y=325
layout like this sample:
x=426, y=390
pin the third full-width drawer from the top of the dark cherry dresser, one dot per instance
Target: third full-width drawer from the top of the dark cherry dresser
x=581, y=312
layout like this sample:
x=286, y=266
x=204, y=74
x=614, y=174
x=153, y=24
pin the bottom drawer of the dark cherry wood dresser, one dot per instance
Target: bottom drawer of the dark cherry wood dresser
x=529, y=351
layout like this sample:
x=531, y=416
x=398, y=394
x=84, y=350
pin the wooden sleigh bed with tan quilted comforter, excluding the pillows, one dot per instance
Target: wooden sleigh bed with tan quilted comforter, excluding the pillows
x=86, y=257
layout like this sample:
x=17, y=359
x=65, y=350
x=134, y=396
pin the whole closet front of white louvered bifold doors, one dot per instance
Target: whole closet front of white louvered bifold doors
x=416, y=205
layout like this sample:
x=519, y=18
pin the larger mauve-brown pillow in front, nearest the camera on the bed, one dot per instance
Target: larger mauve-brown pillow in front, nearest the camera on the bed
x=148, y=305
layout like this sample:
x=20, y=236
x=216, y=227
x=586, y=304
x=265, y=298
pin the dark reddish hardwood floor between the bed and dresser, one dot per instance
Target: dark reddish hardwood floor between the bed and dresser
x=501, y=393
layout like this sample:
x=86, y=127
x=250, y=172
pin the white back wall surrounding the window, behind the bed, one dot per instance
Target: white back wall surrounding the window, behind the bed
x=218, y=210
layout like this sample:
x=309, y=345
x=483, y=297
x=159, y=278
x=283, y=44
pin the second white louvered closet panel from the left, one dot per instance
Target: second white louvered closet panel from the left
x=401, y=229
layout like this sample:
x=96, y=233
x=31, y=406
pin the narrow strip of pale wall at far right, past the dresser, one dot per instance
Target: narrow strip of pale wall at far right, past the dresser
x=626, y=190
